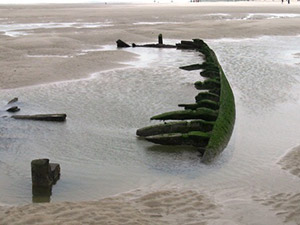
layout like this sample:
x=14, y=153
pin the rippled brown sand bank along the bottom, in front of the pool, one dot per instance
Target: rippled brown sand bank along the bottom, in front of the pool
x=159, y=207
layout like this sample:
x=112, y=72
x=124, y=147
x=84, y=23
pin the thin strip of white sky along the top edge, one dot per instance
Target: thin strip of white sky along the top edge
x=83, y=1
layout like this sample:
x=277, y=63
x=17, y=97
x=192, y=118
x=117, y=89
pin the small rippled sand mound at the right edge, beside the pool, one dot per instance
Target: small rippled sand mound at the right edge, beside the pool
x=291, y=162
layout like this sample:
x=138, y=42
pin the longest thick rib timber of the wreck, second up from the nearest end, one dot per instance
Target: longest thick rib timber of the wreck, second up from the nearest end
x=176, y=127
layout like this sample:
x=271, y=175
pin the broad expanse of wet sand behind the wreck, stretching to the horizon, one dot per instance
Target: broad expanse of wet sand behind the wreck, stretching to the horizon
x=132, y=23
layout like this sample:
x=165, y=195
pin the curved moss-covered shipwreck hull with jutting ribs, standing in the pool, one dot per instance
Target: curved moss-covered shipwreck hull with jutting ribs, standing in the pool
x=212, y=115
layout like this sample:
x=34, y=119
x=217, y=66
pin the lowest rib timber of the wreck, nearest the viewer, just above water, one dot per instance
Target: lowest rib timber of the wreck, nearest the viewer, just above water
x=195, y=138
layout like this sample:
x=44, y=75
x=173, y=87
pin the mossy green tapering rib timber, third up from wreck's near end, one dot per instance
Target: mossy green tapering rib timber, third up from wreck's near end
x=200, y=113
